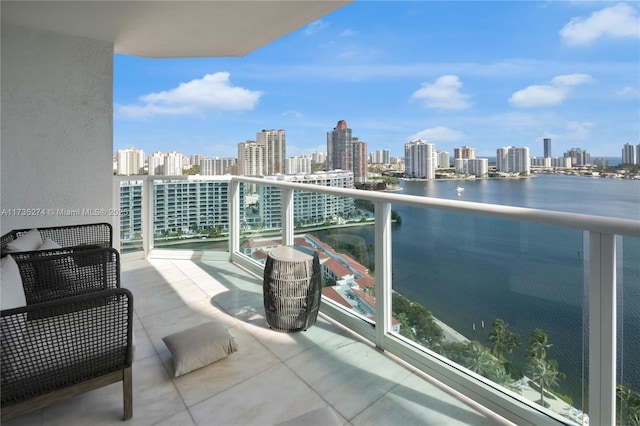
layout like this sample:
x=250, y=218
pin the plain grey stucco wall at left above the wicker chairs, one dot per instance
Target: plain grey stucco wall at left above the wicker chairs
x=56, y=137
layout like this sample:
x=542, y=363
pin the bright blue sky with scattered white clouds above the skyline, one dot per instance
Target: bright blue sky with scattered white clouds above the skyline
x=482, y=74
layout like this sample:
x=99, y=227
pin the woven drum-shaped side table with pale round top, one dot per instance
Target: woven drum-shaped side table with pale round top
x=292, y=288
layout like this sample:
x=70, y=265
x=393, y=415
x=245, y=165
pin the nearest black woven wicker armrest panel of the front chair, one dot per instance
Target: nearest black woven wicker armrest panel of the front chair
x=50, y=345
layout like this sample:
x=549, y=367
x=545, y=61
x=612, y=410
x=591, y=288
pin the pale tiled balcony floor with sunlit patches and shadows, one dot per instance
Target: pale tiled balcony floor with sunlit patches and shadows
x=272, y=378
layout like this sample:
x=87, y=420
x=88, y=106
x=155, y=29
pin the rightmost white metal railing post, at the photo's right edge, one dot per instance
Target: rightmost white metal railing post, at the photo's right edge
x=602, y=329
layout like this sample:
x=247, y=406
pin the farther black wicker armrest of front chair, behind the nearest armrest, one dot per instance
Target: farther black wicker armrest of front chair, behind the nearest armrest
x=59, y=273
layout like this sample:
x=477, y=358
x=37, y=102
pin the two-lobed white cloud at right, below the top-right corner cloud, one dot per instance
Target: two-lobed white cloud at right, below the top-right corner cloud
x=544, y=94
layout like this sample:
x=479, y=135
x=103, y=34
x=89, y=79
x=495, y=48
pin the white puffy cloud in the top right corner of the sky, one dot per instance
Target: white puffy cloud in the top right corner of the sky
x=617, y=21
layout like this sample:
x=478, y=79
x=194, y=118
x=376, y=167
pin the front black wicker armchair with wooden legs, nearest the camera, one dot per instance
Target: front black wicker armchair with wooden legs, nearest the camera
x=74, y=334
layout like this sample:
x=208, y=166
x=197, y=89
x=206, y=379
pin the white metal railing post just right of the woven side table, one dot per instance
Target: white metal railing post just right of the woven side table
x=383, y=271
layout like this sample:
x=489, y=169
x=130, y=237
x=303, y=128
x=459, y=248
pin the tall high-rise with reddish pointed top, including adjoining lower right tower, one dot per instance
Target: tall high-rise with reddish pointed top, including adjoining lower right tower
x=344, y=152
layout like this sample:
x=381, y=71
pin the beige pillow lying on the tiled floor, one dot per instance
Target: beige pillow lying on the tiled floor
x=199, y=346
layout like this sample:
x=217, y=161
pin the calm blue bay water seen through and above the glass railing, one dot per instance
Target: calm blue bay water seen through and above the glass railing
x=468, y=270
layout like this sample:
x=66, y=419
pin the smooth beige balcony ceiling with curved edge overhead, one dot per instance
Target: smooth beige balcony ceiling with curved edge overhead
x=171, y=29
